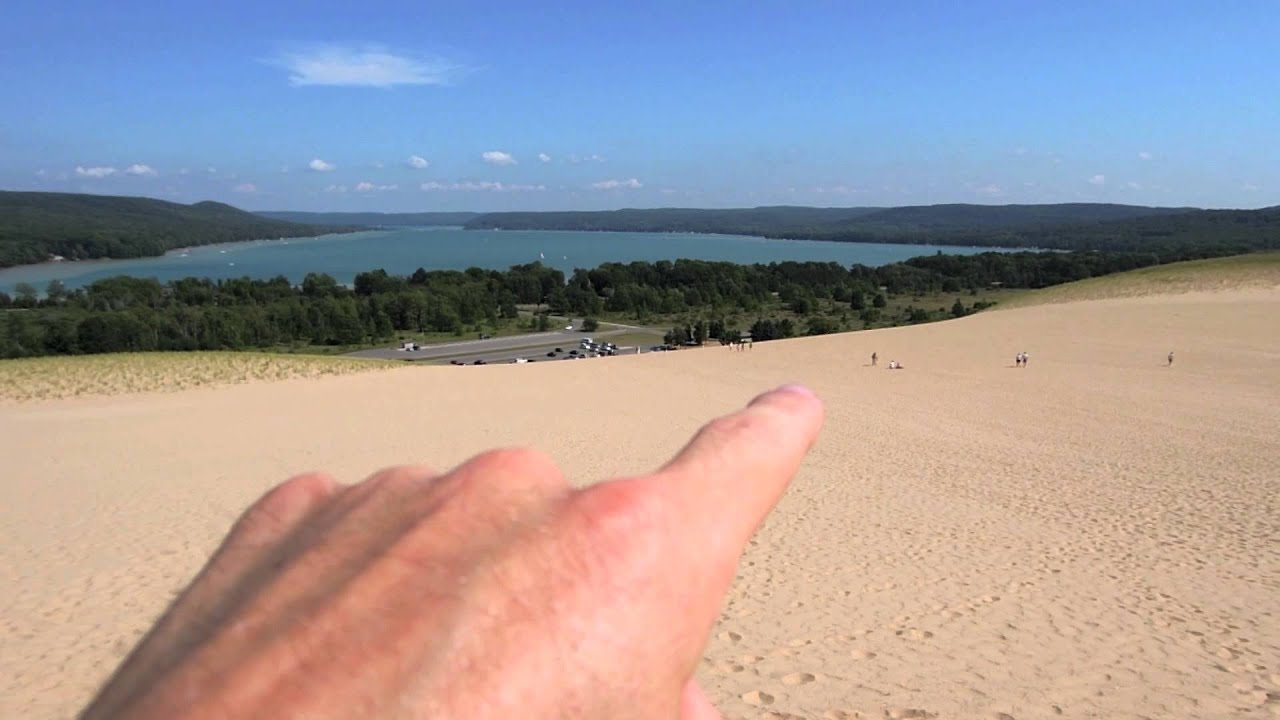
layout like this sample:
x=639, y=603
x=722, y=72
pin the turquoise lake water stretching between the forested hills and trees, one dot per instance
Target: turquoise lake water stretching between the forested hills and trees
x=404, y=250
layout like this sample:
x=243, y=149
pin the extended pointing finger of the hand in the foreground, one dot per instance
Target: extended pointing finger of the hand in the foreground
x=724, y=484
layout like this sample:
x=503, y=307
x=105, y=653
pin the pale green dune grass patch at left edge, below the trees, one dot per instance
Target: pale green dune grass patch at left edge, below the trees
x=52, y=379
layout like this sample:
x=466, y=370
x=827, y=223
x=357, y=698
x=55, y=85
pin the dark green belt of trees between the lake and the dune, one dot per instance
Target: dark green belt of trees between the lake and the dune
x=136, y=315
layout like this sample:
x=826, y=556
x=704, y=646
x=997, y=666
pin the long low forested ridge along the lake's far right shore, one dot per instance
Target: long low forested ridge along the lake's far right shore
x=1064, y=227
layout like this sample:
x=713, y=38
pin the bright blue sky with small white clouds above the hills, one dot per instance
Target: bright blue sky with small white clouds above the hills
x=423, y=106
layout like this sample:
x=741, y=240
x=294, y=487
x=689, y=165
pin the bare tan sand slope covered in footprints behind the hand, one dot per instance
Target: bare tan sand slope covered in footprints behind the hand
x=1095, y=536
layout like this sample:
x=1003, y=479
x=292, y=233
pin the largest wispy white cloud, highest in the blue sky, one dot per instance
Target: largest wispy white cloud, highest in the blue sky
x=363, y=67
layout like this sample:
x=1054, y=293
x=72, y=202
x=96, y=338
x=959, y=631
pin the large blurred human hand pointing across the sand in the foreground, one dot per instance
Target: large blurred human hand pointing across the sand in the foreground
x=491, y=591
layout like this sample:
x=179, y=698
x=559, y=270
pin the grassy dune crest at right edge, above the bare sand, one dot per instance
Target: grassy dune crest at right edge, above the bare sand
x=1258, y=270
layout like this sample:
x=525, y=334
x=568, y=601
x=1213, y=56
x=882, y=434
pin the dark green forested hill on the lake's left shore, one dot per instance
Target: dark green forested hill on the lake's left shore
x=38, y=226
